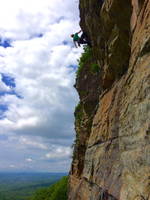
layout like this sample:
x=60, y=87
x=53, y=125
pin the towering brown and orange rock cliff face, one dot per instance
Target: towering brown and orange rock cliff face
x=111, y=158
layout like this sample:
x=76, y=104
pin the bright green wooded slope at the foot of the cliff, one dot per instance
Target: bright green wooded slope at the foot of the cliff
x=57, y=191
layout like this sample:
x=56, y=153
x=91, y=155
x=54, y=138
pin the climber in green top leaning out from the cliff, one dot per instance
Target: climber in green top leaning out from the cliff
x=78, y=40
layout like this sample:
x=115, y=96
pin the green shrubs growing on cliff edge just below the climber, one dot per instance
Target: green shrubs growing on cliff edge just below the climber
x=85, y=57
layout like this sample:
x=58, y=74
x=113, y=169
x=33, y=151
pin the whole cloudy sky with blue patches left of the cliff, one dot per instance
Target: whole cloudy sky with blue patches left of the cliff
x=37, y=73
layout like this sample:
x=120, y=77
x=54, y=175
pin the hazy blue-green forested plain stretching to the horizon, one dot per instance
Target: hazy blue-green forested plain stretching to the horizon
x=21, y=186
